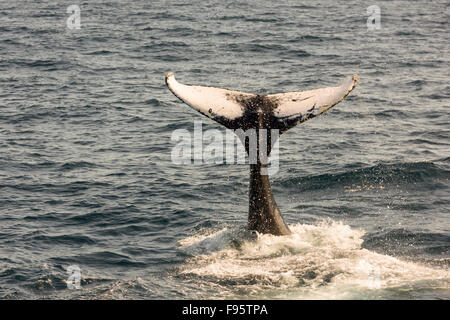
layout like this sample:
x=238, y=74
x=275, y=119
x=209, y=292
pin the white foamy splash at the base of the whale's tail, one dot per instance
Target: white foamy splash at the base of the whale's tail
x=317, y=261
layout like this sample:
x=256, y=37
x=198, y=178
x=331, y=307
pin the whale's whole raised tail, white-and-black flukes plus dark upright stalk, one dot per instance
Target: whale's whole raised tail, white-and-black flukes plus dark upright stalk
x=241, y=110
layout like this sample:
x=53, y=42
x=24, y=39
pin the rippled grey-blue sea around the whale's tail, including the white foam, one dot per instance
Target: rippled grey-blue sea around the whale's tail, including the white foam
x=86, y=177
